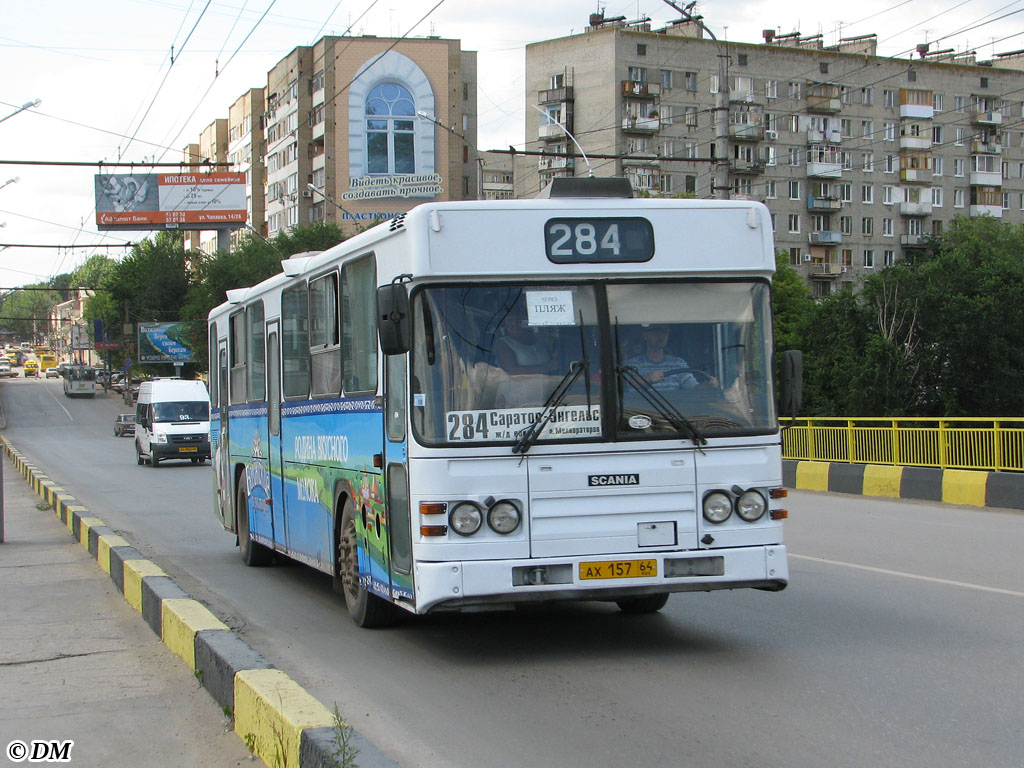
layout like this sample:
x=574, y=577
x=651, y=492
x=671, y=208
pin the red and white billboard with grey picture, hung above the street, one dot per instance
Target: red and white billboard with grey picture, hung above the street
x=170, y=201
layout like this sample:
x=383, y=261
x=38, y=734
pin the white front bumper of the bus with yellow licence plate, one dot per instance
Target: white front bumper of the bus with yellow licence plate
x=482, y=583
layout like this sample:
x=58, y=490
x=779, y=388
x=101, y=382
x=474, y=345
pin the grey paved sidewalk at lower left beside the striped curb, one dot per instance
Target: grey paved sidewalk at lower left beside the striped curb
x=77, y=663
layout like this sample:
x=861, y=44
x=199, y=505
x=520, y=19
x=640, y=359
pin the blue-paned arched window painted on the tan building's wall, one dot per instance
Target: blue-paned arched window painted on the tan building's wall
x=391, y=129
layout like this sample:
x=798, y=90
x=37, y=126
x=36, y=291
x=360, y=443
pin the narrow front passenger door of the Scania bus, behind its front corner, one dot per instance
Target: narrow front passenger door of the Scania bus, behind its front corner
x=396, y=478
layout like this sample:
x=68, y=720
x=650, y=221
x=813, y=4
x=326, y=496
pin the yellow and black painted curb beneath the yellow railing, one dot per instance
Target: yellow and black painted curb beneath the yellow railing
x=967, y=487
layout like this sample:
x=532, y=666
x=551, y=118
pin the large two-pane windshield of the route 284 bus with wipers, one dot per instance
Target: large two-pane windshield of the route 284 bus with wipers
x=671, y=360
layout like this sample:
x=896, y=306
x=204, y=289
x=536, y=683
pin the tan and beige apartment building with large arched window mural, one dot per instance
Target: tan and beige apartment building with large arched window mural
x=362, y=130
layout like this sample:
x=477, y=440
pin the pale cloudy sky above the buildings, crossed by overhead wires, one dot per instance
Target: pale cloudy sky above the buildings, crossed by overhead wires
x=138, y=80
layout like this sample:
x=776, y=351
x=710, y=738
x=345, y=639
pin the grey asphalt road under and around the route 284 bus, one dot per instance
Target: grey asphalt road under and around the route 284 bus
x=899, y=643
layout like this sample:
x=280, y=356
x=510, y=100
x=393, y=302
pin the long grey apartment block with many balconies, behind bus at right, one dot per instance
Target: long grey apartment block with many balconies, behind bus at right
x=860, y=158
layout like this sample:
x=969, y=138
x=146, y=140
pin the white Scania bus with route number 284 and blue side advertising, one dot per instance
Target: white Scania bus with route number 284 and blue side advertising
x=481, y=404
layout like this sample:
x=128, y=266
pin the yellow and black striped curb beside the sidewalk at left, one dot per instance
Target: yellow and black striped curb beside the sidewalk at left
x=275, y=717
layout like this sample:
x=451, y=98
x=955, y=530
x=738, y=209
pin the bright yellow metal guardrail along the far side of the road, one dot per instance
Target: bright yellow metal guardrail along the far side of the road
x=996, y=445
